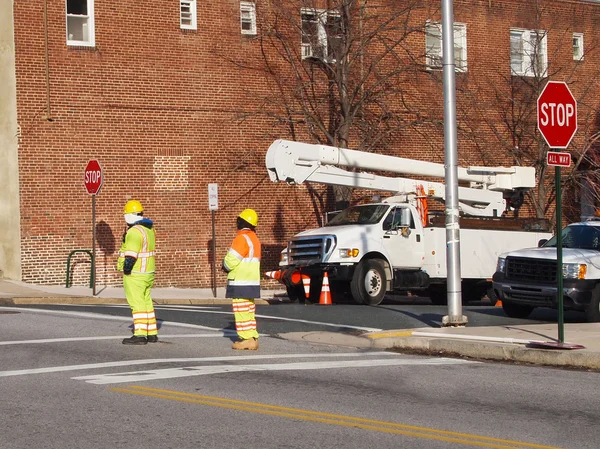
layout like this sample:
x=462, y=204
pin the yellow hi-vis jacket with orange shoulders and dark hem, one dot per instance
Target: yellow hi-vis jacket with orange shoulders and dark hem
x=242, y=264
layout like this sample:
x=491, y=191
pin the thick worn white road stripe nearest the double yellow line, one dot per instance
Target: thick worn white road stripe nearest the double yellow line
x=171, y=373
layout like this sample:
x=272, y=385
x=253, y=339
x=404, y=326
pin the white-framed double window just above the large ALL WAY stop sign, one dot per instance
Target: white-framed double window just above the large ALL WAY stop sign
x=528, y=53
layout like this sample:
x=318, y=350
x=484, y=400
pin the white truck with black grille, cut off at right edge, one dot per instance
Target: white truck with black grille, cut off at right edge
x=526, y=278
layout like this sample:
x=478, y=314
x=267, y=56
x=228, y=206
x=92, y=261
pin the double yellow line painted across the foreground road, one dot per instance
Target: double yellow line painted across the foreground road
x=329, y=418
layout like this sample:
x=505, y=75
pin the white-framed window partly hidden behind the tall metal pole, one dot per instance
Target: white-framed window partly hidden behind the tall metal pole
x=434, y=49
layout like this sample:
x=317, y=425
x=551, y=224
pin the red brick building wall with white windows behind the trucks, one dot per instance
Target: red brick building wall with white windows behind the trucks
x=176, y=94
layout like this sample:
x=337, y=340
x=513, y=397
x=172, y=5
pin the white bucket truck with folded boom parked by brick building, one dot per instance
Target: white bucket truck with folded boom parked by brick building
x=397, y=244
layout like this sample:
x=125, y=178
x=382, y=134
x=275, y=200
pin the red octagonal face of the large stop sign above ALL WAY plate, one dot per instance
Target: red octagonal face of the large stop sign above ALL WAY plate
x=557, y=114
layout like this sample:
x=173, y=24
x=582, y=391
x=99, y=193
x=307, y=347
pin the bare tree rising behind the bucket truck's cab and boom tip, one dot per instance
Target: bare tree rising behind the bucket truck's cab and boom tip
x=339, y=72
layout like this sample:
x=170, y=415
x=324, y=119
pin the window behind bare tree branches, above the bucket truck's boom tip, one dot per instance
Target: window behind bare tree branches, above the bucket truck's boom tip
x=321, y=34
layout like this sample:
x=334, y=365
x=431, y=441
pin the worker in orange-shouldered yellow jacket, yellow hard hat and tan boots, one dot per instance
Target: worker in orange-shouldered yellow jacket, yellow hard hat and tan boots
x=242, y=265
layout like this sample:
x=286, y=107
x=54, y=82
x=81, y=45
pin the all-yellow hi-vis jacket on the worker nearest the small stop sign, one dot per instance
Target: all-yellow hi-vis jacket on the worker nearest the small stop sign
x=140, y=243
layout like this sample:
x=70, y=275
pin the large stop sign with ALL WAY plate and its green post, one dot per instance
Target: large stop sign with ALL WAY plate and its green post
x=557, y=122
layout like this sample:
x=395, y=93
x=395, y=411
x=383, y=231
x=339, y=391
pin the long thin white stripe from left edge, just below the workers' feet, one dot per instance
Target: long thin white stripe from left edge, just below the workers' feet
x=57, y=369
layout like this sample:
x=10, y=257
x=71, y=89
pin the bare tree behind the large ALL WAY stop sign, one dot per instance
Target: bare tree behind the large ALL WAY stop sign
x=498, y=114
